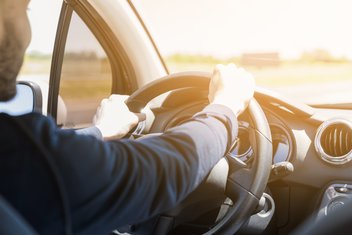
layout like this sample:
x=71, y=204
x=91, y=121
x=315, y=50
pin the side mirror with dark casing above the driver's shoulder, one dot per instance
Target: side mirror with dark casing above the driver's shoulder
x=27, y=99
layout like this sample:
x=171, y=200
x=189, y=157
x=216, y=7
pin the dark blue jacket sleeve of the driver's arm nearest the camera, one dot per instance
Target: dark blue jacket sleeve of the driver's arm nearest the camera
x=115, y=183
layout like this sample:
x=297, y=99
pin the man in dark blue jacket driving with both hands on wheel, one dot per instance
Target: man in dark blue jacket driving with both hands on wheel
x=63, y=182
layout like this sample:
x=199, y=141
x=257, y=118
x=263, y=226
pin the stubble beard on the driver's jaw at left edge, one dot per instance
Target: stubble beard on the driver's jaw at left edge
x=11, y=59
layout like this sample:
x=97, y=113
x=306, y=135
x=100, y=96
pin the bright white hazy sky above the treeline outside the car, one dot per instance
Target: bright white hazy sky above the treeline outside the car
x=226, y=28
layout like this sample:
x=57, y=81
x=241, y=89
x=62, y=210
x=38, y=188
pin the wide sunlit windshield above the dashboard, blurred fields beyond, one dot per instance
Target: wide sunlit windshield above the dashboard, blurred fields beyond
x=302, y=48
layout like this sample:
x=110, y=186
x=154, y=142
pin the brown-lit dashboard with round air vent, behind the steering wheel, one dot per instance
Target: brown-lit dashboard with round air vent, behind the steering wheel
x=312, y=151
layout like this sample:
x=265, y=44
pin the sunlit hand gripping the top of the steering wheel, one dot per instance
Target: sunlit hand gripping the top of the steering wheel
x=232, y=87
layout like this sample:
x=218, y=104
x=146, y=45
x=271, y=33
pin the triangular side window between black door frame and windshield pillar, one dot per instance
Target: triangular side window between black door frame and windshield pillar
x=85, y=78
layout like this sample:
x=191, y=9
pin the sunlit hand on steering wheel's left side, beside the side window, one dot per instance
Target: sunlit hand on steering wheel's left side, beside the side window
x=113, y=118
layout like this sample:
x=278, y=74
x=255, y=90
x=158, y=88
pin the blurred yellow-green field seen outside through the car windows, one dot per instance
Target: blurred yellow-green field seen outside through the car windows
x=91, y=79
